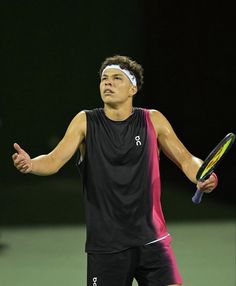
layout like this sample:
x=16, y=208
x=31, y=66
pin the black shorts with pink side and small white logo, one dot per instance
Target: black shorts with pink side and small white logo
x=151, y=265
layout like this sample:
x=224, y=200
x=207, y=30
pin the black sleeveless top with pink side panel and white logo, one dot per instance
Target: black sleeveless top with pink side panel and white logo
x=121, y=182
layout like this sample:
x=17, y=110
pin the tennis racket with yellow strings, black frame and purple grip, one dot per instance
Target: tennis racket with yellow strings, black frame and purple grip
x=211, y=162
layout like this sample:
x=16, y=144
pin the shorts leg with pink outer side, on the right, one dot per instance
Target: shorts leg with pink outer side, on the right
x=158, y=265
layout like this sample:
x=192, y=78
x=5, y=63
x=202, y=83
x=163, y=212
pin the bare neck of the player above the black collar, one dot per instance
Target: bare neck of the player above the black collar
x=118, y=114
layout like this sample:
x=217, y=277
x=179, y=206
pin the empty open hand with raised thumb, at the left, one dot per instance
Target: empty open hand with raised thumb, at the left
x=21, y=160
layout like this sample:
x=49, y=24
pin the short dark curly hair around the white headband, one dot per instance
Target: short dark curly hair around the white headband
x=125, y=63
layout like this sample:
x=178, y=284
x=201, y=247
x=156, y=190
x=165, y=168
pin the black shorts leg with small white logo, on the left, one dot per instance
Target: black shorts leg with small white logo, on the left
x=116, y=269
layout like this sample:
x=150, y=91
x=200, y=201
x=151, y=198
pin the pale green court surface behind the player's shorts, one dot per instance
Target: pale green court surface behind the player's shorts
x=43, y=256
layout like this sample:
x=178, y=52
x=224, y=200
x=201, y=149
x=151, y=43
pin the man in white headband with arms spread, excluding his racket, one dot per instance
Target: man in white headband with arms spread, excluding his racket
x=119, y=148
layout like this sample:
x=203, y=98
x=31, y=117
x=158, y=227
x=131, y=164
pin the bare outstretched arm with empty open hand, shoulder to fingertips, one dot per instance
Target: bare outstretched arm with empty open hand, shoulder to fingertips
x=50, y=163
